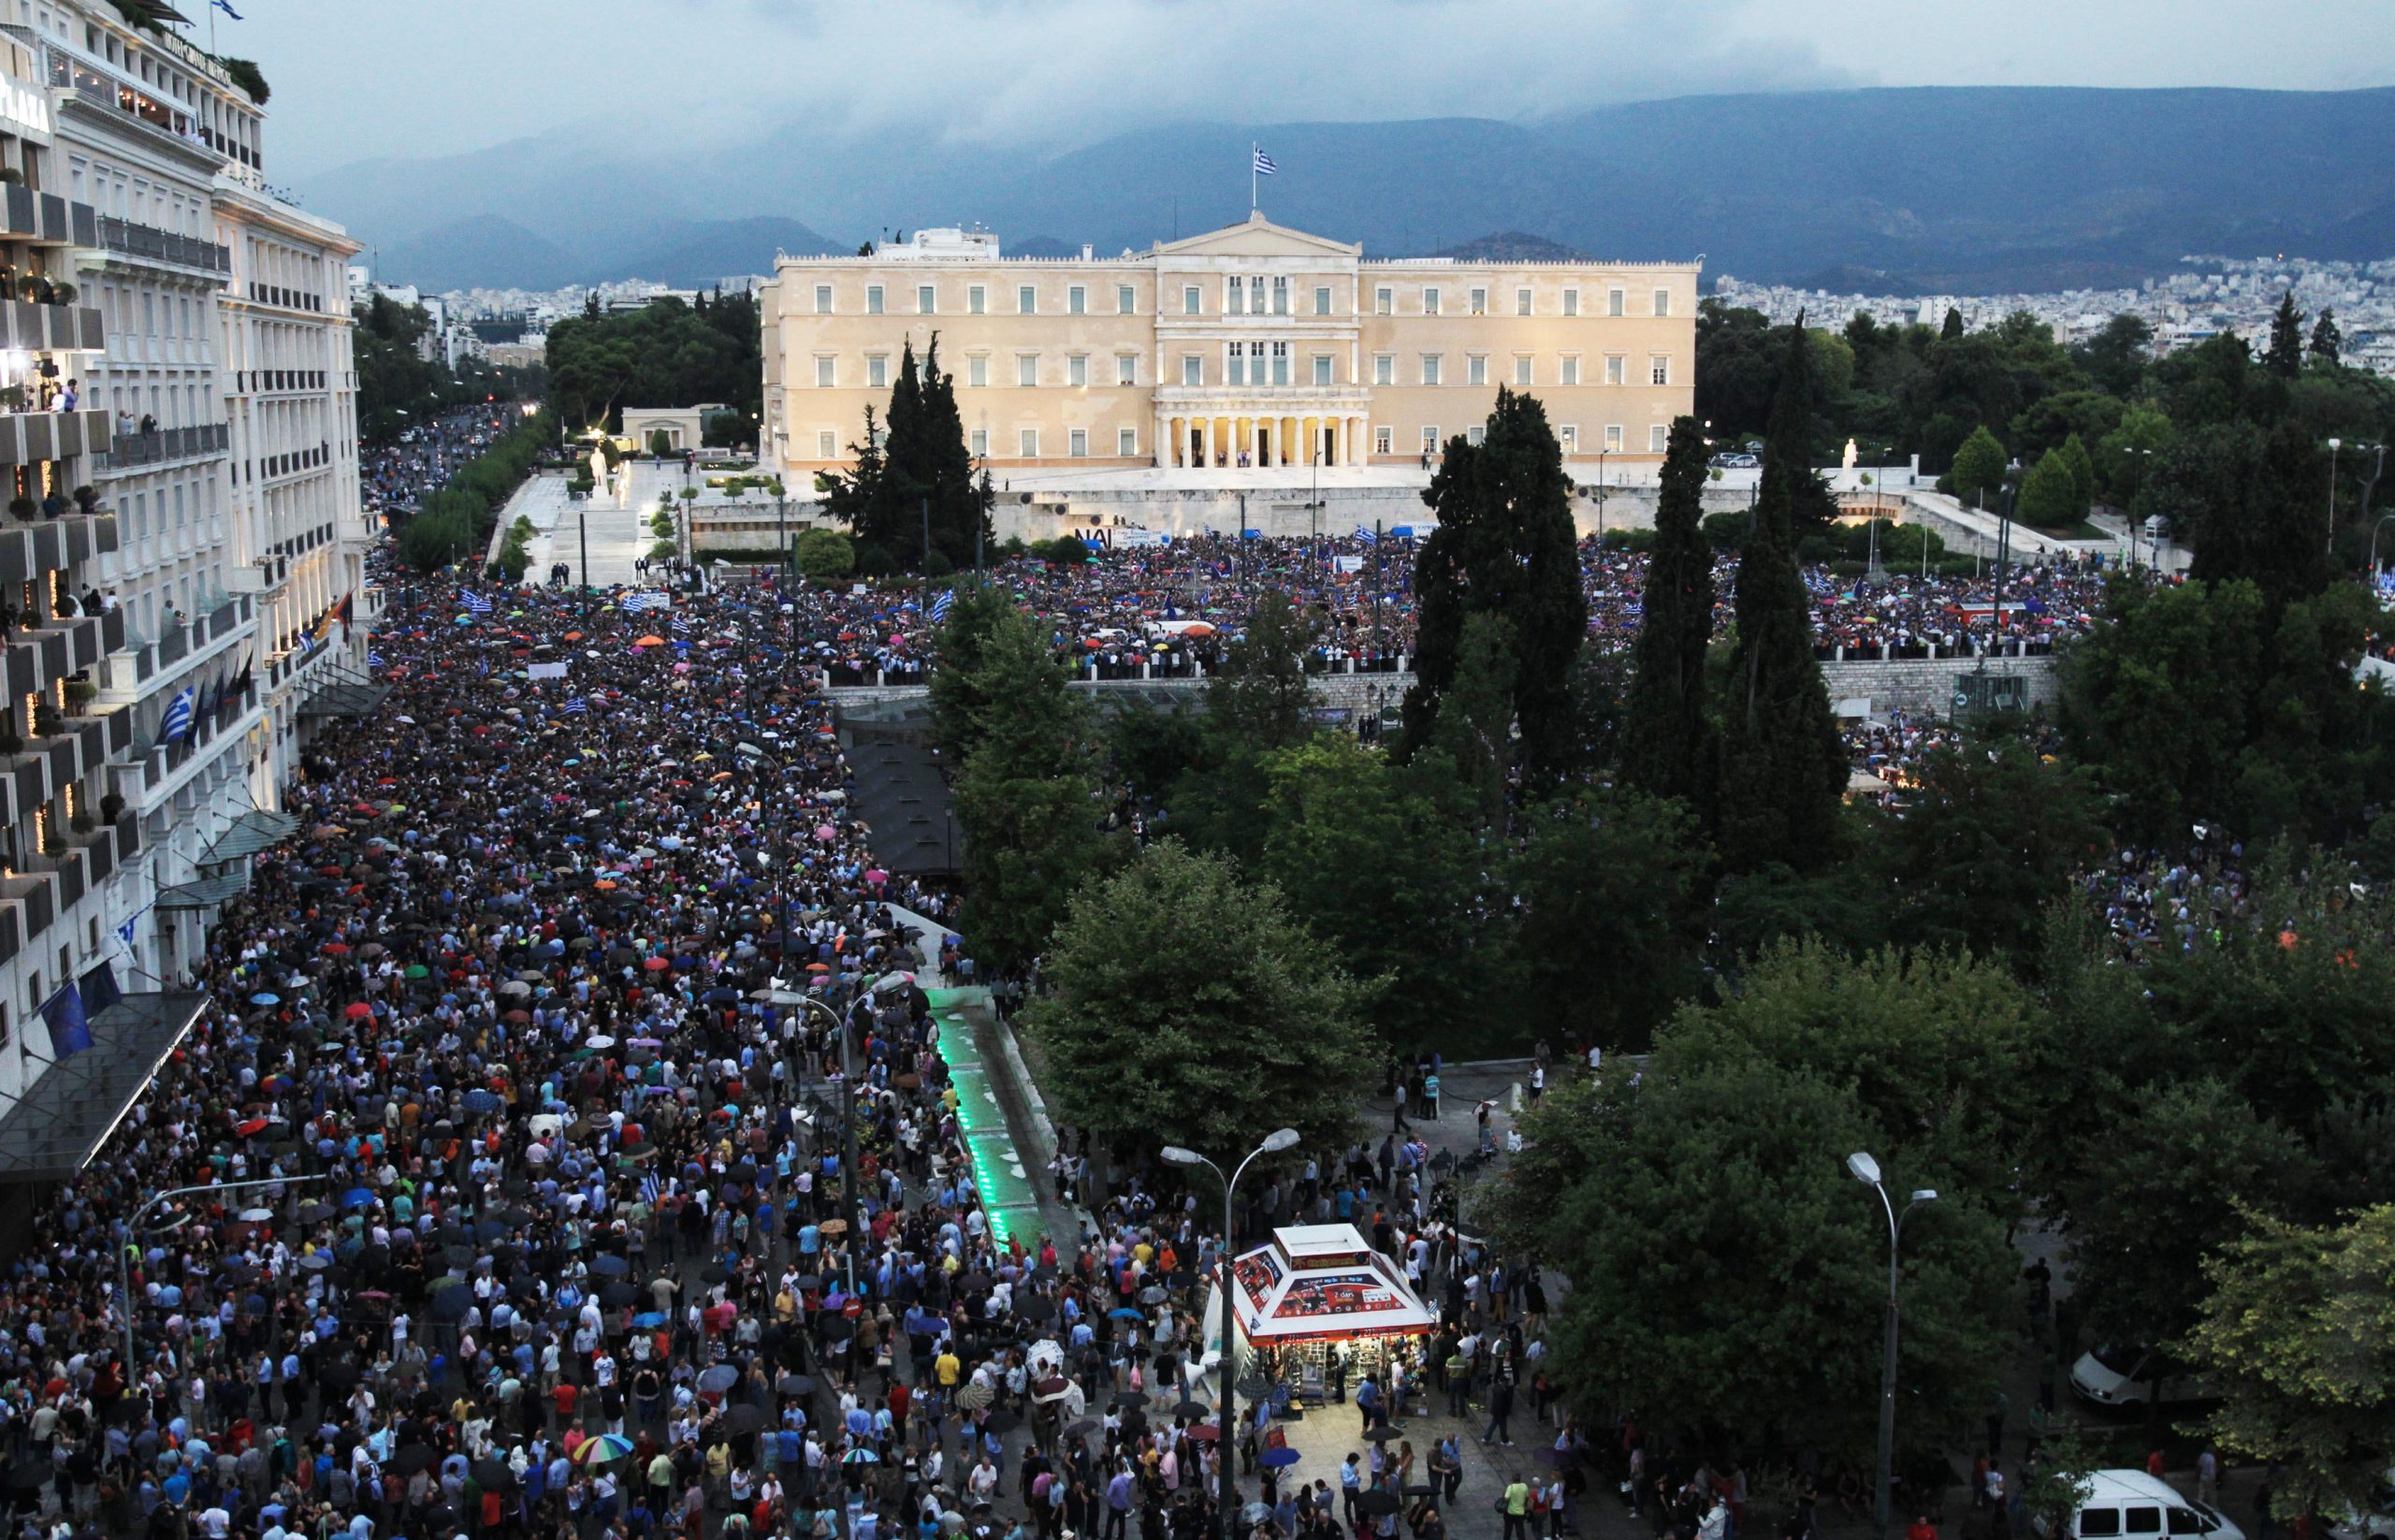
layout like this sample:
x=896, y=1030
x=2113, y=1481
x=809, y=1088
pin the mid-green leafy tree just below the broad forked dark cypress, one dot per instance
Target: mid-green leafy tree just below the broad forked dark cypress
x=1376, y=871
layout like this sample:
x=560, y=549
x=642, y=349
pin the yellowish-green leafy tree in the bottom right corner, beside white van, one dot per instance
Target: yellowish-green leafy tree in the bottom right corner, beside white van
x=2300, y=1335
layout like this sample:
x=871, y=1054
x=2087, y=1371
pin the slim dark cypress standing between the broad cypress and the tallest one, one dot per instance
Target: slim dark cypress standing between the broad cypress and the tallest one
x=1668, y=739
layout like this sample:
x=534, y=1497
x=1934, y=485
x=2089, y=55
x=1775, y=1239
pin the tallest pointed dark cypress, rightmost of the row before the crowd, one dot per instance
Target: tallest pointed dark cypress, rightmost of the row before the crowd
x=1783, y=765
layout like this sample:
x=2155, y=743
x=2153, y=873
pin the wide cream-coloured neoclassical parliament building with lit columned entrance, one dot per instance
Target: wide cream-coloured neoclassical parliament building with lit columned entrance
x=1251, y=346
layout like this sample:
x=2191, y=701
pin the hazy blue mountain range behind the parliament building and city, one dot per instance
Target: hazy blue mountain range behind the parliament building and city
x=1932, y=190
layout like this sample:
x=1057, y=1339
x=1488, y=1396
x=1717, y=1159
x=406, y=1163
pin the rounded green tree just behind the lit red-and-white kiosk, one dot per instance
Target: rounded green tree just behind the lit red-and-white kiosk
x=1187, y=1007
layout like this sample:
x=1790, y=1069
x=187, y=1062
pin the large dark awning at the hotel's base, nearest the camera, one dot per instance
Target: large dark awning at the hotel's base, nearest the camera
x=68, y=1112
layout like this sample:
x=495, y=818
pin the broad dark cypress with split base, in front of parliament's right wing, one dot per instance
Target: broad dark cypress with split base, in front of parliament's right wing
x=1505, y=547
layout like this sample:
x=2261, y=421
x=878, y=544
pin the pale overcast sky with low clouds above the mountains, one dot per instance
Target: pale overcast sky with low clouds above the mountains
x=430, y=78
